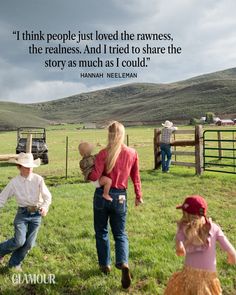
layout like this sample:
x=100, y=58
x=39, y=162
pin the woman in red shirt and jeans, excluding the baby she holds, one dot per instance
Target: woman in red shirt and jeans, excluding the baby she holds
x=118, y=162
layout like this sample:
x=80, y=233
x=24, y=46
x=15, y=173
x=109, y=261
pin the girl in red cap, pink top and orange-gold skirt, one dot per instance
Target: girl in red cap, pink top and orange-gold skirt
x=196, y=240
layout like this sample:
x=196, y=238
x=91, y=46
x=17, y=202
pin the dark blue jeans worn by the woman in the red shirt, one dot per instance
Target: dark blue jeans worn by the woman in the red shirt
x=115, y=212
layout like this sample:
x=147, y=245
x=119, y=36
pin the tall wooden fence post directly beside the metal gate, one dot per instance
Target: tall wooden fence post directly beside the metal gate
x=198, y=149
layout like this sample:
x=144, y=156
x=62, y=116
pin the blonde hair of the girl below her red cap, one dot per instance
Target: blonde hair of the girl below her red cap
x=195, y=228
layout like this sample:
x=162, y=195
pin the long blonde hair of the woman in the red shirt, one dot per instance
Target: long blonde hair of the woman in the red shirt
x=116, y=135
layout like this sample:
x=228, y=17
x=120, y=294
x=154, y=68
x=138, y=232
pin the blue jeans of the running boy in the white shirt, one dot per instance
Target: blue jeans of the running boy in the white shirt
x=26, y=228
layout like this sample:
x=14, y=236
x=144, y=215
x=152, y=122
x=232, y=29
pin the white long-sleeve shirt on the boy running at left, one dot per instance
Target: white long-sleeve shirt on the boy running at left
x=30, y=191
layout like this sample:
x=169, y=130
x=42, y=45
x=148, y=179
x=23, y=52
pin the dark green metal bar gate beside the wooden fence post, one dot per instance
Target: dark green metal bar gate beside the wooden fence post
x=219, y=150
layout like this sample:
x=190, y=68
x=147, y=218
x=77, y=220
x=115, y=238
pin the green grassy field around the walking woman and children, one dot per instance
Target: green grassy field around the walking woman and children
x=66, y=244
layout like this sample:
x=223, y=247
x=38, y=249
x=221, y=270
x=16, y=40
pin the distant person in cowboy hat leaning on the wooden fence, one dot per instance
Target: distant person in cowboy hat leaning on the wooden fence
x=166, y=134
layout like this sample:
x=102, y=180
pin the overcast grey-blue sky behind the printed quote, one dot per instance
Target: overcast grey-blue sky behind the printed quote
x=205, y=29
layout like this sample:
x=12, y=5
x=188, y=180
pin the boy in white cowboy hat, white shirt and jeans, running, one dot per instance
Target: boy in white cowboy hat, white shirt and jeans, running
x=33, y=199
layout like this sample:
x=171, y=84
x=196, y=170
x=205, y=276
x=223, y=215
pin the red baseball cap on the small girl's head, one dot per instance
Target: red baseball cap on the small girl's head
x=195, y=205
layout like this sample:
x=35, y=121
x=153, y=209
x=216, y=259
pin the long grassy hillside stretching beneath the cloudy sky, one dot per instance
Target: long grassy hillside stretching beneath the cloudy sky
x=215, y=92
